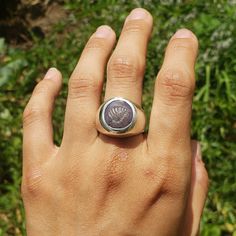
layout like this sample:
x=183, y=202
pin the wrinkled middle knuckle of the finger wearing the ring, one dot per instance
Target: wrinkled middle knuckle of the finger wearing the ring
x=123, y=67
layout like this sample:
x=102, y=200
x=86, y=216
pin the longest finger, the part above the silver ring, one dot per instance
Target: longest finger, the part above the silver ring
x=126, y=65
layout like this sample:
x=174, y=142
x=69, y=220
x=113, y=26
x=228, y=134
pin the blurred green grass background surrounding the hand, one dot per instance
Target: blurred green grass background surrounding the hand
x=214, y=108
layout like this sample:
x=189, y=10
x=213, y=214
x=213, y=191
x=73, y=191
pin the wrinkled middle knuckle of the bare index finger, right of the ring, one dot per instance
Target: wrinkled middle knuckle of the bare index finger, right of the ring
x=175, y=85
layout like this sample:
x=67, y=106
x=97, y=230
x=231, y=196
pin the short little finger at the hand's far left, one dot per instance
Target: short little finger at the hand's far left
x=37, y=118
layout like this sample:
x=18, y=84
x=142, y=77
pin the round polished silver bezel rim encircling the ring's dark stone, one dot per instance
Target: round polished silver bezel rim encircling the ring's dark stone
x=117, y=130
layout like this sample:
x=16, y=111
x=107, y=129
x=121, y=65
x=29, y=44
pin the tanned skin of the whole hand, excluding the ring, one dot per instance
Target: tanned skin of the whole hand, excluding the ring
x=149, y=184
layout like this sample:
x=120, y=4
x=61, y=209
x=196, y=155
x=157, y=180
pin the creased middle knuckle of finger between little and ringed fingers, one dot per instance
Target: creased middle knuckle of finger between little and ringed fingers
x=82, y=86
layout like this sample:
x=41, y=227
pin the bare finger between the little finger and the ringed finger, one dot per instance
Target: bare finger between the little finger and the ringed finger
x=85, y=87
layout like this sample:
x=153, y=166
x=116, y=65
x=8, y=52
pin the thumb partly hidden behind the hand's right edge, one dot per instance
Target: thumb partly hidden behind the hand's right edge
x=198, y=193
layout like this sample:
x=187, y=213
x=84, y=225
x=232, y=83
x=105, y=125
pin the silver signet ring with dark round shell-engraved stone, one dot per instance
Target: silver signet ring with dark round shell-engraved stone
x=119, y=117
